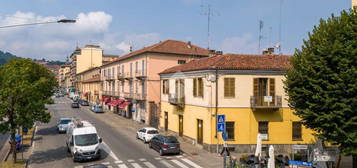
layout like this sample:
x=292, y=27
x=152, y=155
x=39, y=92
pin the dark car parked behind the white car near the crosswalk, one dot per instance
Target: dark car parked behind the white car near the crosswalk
x=165, y=144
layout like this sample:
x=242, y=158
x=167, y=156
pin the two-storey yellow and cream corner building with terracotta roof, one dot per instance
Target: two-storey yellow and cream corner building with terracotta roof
x=247, y=89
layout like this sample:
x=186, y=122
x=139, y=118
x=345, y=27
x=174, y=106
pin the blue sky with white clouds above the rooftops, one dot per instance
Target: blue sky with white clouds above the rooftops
x=116, y=25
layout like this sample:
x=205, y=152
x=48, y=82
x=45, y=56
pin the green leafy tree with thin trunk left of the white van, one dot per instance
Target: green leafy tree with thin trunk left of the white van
x=25, y=88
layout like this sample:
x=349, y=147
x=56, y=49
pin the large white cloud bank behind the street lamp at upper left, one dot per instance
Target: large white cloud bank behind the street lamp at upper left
x=51, y=41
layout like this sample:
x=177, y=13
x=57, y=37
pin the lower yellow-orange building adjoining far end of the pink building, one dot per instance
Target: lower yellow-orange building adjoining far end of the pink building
x=89, y=84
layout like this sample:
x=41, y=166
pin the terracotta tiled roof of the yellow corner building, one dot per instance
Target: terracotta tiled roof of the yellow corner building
x=235, y=62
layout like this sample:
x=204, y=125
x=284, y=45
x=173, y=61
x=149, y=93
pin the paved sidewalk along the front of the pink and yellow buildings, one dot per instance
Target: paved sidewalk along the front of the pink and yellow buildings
x=118, y=122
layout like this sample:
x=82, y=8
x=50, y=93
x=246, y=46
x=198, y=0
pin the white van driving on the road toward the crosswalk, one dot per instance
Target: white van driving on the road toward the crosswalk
x=83, y=141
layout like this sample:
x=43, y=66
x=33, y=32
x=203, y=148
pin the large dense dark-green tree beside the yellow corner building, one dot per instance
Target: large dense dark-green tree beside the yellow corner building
x=322, y=83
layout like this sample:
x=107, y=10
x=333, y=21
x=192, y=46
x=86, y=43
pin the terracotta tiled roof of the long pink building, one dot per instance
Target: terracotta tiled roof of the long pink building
x=168, y=46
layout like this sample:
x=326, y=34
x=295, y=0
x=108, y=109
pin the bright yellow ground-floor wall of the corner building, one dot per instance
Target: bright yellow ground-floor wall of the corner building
x=246, y=124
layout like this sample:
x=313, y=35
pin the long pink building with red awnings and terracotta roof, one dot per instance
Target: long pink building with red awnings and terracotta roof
x=131, y=84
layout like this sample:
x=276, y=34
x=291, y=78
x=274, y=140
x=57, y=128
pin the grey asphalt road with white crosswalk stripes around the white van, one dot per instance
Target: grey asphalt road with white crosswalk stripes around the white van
x=121, y=147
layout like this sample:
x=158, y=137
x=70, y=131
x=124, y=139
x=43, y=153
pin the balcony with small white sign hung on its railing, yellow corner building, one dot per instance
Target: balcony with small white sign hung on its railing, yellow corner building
x=266, y=102
